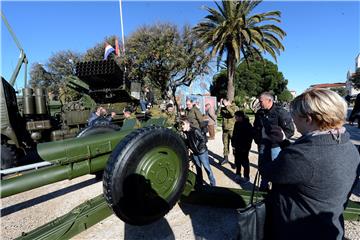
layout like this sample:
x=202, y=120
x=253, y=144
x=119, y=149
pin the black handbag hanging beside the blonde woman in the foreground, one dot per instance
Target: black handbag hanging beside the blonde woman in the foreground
x=251, y=219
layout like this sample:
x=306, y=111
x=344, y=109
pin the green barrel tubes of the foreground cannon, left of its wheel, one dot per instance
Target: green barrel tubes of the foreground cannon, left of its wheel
x=72, y=158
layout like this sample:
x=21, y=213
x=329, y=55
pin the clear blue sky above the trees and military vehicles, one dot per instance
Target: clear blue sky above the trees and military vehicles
x=323, y=38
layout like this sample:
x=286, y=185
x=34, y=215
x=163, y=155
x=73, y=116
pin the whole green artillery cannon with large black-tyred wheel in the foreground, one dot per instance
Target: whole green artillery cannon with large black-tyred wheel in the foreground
x=146, y=173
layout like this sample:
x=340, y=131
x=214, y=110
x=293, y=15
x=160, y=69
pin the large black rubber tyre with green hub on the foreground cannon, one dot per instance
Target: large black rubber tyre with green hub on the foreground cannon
x=146, y=174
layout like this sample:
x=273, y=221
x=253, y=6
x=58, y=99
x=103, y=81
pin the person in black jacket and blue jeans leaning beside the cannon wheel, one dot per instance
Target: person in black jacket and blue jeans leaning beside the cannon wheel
x=196, y=141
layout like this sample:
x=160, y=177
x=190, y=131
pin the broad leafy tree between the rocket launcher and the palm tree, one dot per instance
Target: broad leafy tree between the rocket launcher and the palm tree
x=165, y=57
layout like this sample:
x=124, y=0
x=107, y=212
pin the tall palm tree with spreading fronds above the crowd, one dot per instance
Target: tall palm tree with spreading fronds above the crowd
x=231, y=29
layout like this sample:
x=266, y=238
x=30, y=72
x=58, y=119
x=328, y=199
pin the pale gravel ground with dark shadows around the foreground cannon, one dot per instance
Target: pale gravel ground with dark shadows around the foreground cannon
x=26, y=211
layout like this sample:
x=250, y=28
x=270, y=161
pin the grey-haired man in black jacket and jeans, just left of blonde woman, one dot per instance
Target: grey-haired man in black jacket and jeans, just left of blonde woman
x=268, y=116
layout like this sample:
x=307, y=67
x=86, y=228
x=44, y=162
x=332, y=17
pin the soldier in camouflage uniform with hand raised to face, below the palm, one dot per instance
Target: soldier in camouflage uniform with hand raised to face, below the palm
x=227, y=112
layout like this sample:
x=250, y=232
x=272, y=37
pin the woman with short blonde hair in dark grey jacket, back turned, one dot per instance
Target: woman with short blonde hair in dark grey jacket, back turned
x=313, y=177
